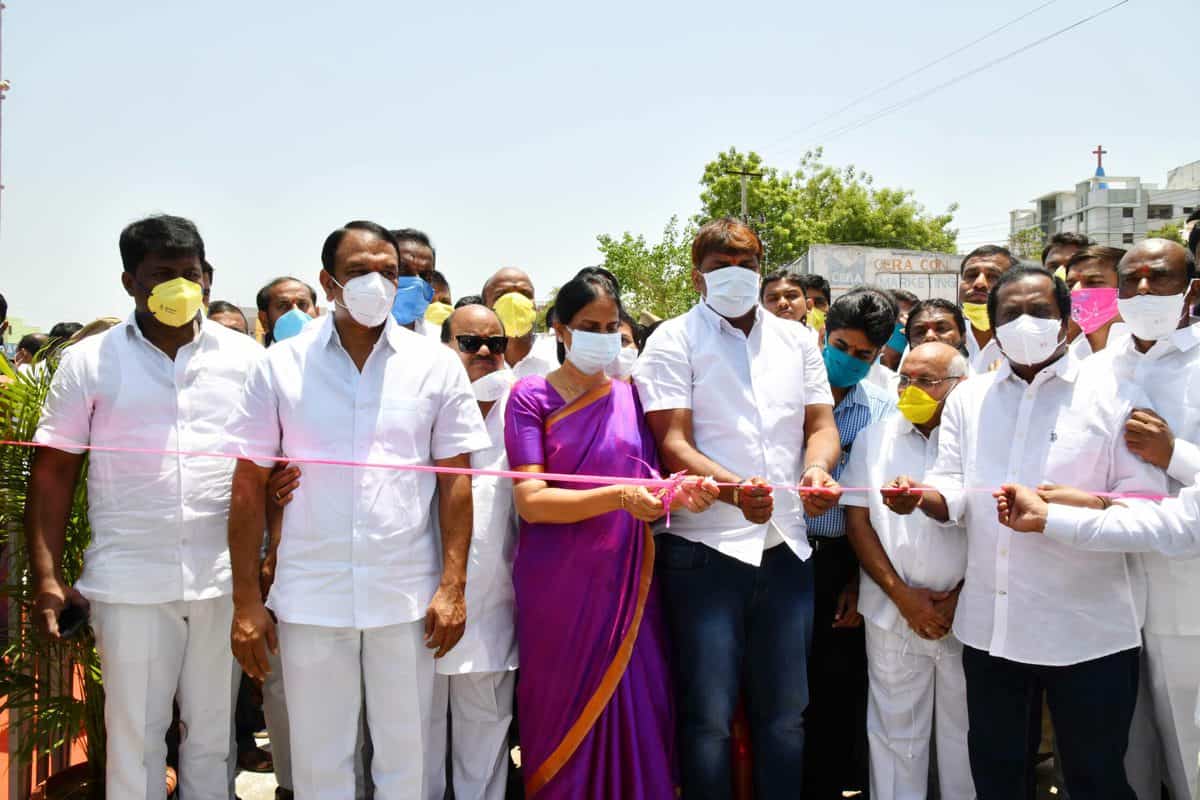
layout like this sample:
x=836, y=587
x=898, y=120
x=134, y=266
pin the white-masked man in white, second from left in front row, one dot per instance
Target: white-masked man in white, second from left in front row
x=361, y=593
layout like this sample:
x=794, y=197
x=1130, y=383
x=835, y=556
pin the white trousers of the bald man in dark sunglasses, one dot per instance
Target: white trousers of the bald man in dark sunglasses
x=481, y=711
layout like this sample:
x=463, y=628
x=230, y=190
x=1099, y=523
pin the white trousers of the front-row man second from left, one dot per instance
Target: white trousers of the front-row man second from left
x=328, y=672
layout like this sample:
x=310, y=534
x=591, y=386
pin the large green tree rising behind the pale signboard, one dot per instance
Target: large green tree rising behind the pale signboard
x=819, y=204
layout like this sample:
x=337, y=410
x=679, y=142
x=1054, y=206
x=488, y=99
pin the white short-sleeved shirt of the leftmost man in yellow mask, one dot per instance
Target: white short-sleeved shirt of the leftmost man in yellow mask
x=159, y=524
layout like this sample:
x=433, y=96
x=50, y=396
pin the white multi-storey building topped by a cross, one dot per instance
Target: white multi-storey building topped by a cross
x=1113, y=210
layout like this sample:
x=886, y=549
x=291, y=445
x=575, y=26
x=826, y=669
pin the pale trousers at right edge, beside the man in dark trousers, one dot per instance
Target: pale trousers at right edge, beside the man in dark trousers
x=1165, y=742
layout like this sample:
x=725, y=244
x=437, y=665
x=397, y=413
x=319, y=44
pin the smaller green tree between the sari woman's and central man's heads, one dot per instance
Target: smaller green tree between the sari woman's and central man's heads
x=655, y=278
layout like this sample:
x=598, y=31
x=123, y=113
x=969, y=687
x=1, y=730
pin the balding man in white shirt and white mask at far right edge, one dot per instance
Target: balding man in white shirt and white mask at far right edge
x=1161, y=354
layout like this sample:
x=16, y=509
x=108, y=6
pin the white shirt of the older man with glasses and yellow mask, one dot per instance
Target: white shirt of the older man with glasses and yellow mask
x=925, y=554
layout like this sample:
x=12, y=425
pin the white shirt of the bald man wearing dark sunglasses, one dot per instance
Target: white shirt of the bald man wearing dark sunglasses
x=490, y=642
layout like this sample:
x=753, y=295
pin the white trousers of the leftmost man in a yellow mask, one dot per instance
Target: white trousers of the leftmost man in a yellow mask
x=152, y=655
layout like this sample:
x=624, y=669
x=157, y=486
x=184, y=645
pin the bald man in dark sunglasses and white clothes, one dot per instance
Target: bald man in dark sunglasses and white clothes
x=477, y=679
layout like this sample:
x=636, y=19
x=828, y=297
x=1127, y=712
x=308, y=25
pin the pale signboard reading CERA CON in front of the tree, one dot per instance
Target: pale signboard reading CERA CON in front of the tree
x=926, y=275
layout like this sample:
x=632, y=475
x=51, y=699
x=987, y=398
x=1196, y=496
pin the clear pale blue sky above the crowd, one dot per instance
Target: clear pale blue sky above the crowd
x=514, y=134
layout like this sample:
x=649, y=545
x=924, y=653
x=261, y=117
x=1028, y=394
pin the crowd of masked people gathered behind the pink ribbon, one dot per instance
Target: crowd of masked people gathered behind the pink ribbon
x=897, y=528
